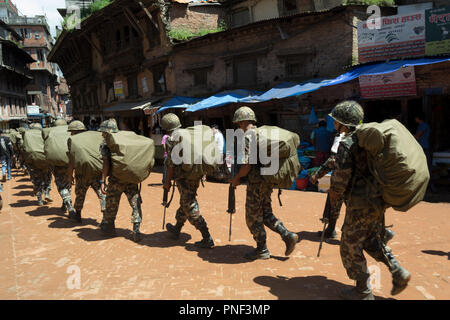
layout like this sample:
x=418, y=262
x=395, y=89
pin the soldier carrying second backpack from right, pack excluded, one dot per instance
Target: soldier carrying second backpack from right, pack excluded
x=258, y=208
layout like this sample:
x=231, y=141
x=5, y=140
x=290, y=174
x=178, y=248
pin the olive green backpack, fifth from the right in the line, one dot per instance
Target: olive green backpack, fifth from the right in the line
x=84, y=153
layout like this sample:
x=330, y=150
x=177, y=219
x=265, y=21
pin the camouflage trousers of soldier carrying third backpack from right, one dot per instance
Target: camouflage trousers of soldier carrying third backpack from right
x=189, y=209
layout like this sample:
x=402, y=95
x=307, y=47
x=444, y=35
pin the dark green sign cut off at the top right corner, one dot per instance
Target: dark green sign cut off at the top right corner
x=437, y=31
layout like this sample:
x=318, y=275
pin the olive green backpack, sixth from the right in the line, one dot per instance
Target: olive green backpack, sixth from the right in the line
x=55, y=146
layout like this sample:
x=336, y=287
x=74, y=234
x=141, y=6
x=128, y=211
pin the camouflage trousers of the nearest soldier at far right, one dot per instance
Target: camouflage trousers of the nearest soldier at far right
x=362, y=230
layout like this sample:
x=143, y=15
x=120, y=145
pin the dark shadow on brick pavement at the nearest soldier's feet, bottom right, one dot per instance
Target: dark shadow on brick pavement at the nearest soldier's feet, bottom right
x=304, y=288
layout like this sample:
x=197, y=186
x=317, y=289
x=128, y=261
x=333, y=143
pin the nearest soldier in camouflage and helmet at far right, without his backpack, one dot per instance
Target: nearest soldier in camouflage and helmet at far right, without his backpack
x=363, y=227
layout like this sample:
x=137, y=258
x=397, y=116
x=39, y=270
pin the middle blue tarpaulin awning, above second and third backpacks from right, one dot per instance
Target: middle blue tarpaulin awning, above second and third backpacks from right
x=223, y=98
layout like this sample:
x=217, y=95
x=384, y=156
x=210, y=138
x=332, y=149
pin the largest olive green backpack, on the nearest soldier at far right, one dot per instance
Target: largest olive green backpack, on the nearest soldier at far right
x=397, y=161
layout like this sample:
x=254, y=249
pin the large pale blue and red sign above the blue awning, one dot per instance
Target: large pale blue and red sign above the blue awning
x=396, y=37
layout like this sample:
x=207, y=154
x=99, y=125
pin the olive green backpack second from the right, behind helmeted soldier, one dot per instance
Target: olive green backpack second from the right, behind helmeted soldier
x=284, y=143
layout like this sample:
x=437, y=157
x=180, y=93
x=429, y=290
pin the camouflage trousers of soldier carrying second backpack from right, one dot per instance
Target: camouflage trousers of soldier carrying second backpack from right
x=258, y=211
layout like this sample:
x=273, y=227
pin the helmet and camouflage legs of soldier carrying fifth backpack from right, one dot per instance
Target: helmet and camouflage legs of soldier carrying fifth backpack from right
x=81, y=183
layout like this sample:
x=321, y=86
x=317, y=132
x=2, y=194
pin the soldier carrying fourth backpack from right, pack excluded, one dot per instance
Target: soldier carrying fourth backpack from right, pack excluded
x=115, y=188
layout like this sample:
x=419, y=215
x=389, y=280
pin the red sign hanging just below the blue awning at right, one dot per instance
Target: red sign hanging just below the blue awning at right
x=395, y=84
